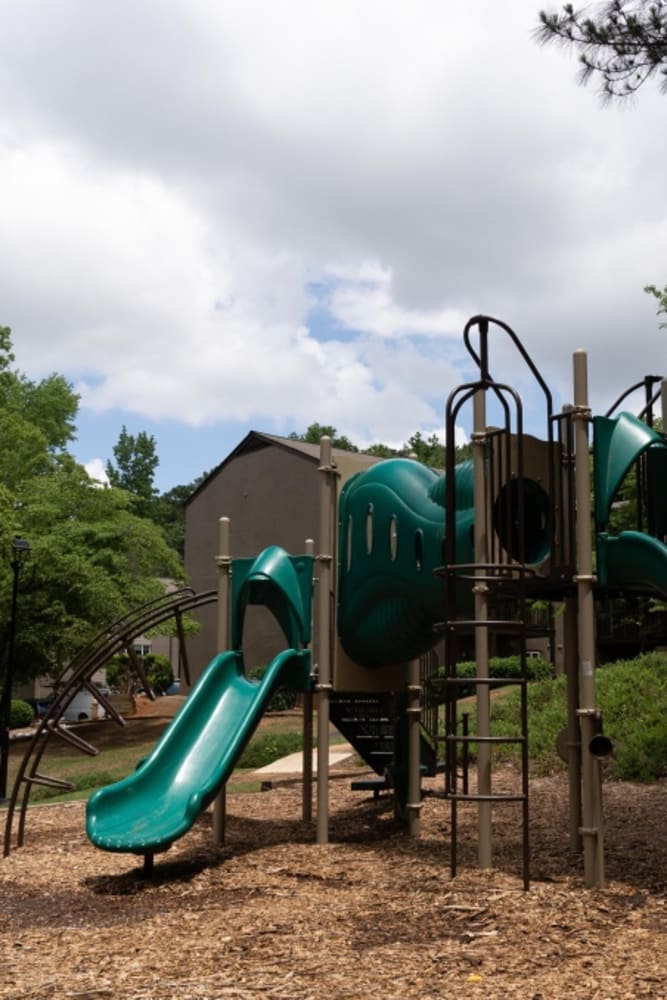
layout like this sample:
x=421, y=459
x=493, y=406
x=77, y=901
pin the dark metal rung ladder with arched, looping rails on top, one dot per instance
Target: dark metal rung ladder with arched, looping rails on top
x=503, y=574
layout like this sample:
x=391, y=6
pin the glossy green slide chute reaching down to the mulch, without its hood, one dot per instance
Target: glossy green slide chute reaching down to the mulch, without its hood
x=145, y=812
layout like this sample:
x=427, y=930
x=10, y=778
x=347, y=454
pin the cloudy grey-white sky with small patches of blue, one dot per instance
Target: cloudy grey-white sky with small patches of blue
x=219, y=216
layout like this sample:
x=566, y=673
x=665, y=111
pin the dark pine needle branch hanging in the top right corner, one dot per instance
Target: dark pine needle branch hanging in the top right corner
x=619, y=43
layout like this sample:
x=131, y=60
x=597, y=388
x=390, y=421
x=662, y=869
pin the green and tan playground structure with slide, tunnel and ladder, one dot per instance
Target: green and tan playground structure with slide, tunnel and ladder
x=407, y=557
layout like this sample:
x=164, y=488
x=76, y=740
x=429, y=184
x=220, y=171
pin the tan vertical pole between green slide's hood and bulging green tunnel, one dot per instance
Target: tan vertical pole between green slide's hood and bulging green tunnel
x=325, y=635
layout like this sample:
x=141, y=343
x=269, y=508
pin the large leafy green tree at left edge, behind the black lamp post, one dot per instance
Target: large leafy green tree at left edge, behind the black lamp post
x=92, y=558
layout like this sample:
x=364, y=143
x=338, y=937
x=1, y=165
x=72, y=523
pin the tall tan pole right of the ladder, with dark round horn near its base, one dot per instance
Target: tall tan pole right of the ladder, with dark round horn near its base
x=591, y=806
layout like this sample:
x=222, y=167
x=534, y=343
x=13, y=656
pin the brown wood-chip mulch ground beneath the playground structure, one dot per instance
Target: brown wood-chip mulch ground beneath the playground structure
x=372, y=914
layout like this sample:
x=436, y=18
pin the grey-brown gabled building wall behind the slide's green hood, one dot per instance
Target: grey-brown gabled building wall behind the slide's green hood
x=272, y=498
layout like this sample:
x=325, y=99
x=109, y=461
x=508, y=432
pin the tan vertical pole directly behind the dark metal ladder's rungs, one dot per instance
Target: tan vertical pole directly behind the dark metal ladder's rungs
x=480, y=591
